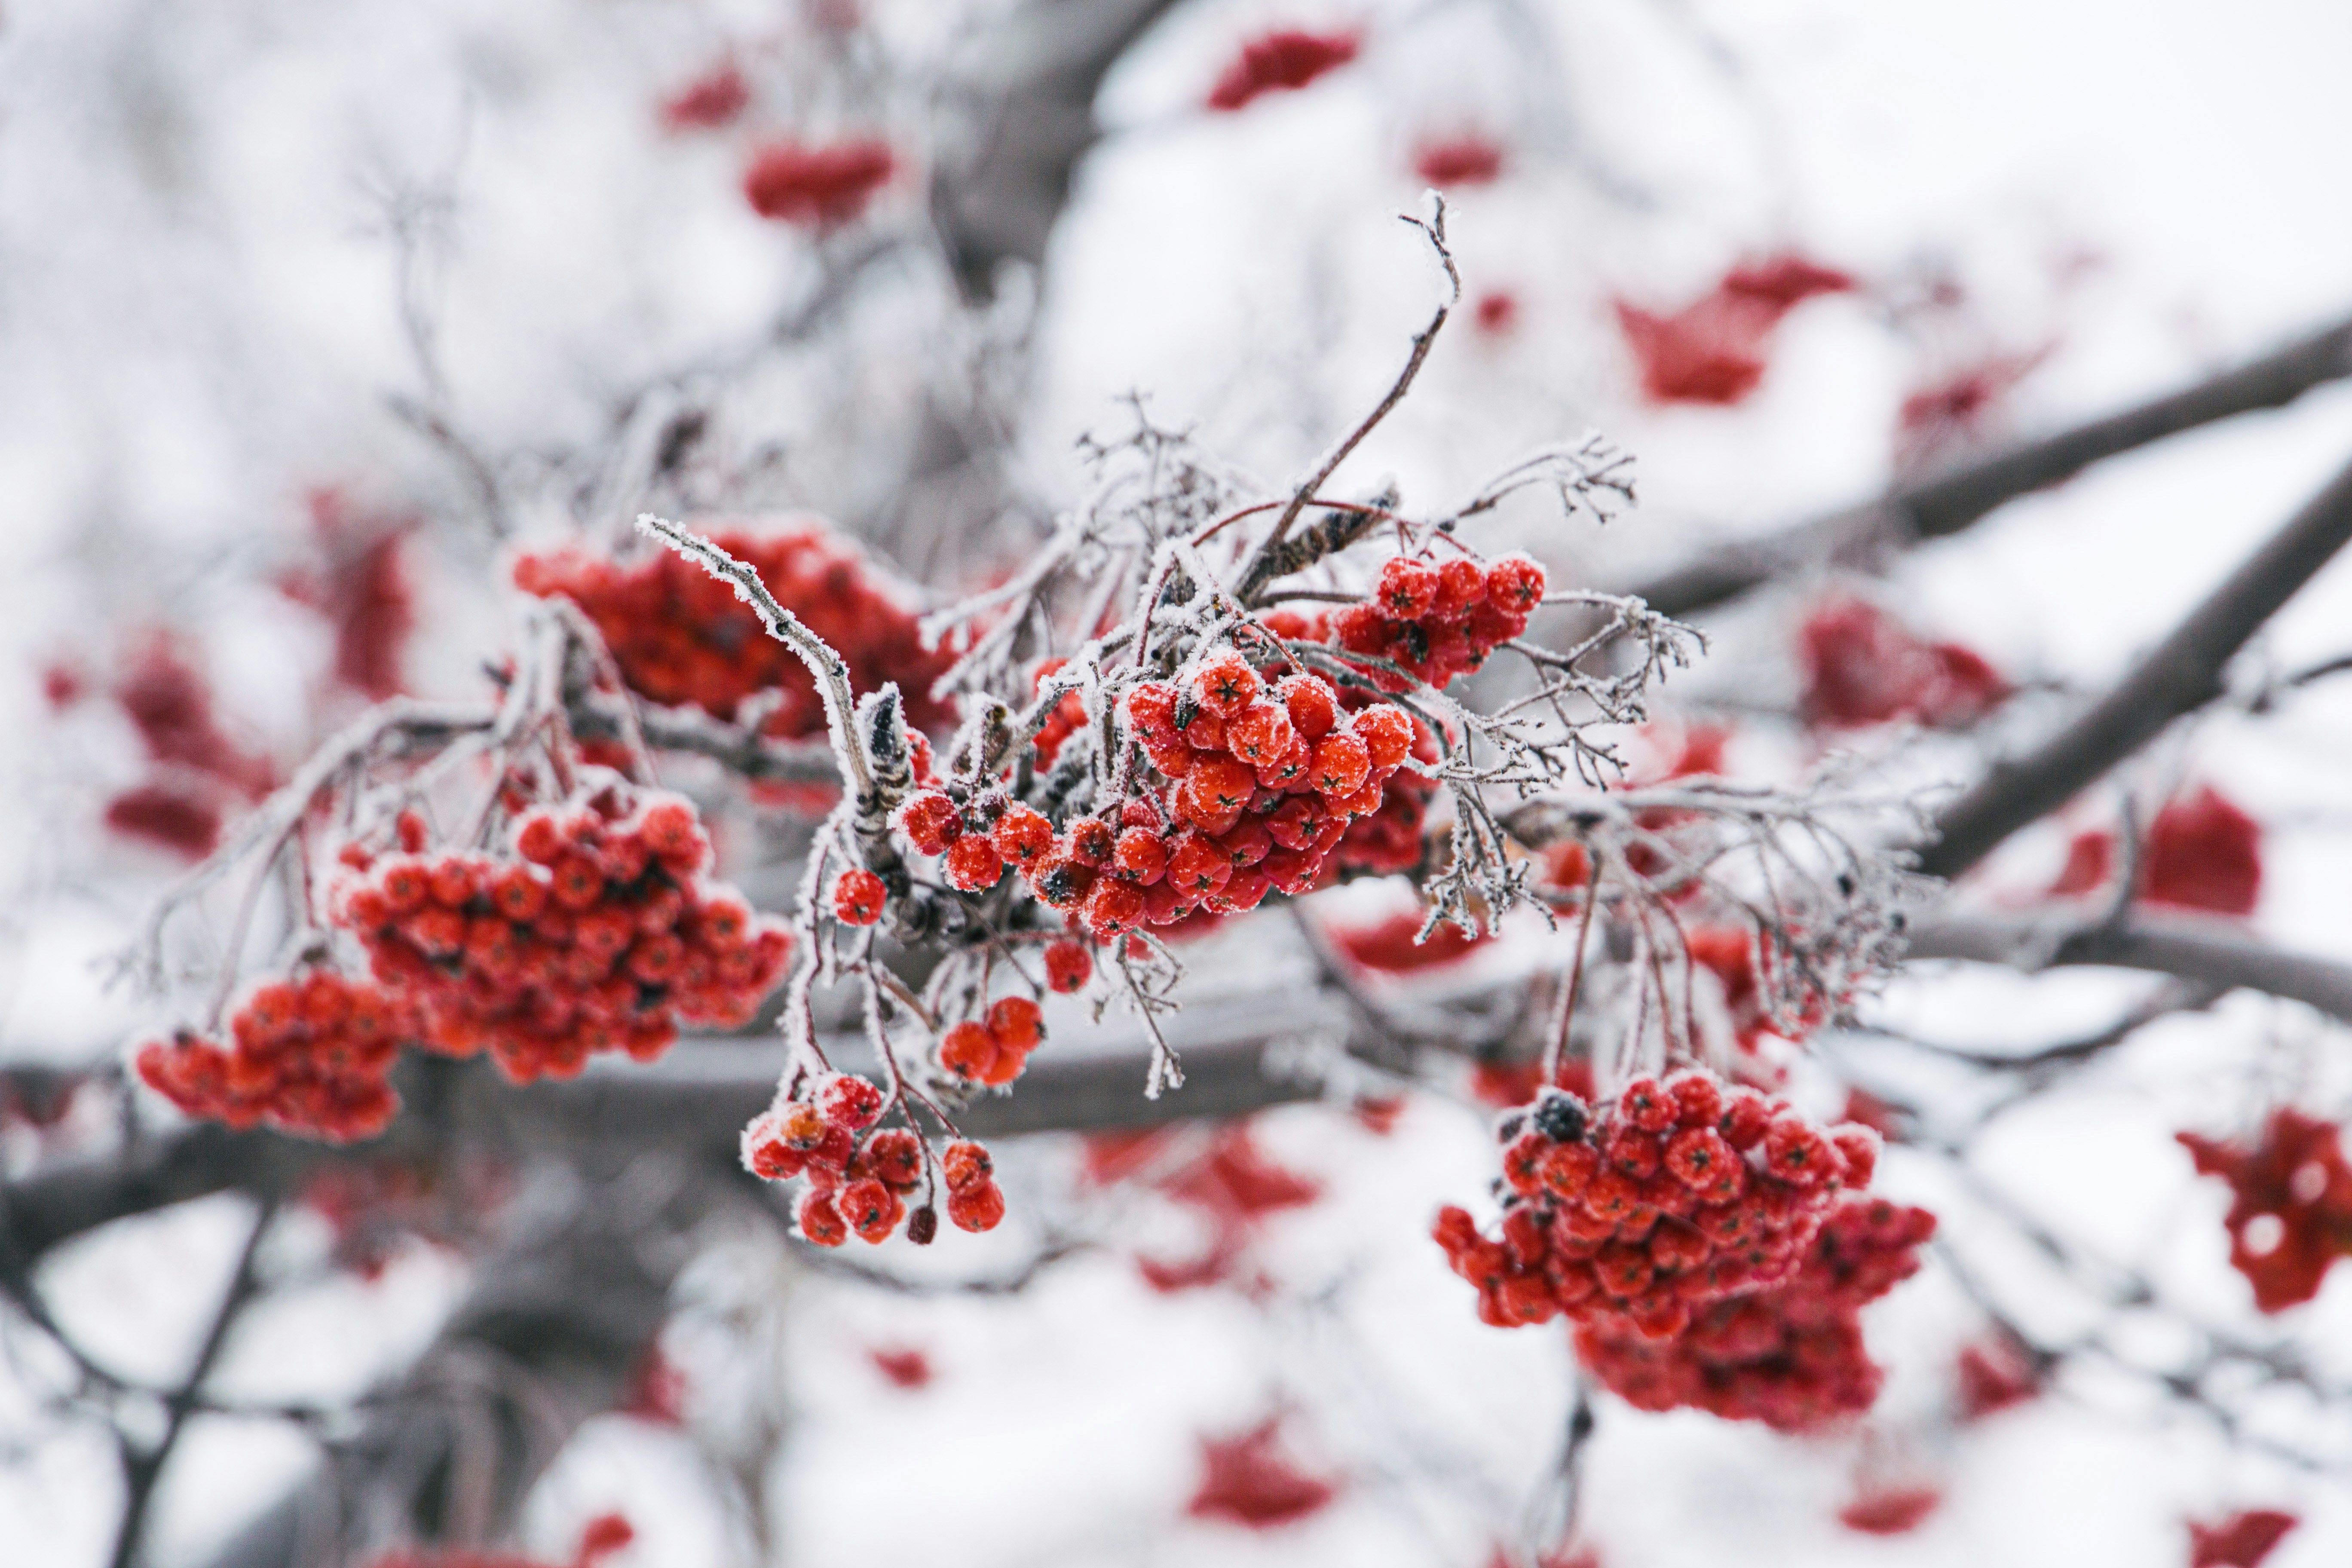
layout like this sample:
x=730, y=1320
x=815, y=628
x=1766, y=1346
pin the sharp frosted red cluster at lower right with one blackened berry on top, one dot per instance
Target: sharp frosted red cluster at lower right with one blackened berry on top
x=1671, y=1198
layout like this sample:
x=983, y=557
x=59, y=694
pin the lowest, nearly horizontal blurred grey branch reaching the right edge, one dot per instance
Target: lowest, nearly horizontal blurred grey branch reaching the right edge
x=2212, y=953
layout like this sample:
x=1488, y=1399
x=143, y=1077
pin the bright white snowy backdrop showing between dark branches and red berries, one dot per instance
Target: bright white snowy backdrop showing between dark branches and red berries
x=199, y=319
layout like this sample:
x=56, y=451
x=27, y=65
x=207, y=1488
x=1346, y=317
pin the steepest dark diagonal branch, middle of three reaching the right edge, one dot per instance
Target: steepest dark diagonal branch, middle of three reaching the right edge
x=2179, y=676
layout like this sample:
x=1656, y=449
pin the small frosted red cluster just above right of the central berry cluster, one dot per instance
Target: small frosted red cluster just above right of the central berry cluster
x=1441, y=622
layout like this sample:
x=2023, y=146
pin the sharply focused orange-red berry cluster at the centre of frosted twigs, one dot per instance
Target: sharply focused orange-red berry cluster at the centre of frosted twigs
x=1262, y=786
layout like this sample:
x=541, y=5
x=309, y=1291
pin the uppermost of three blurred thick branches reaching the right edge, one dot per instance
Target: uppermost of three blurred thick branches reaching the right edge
x=1972, y=490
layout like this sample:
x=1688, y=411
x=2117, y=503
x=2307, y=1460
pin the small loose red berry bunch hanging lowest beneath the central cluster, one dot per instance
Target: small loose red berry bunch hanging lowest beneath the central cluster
x=862, y=1174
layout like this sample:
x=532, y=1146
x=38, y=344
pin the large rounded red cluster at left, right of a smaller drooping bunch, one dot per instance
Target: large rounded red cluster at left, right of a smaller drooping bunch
x=596, y=932
